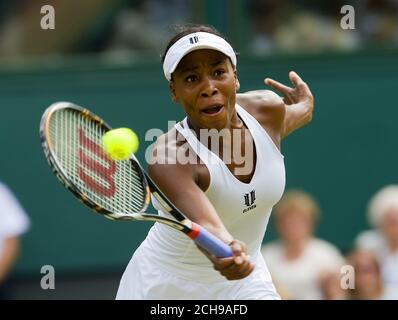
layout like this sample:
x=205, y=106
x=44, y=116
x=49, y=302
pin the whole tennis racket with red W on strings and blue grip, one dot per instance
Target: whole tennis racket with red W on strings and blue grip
x=119, y=190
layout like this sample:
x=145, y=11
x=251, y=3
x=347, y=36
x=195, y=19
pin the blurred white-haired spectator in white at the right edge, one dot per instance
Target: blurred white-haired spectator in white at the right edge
x=383, y=240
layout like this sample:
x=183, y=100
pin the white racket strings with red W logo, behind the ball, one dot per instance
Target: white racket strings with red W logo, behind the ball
x=114, y=185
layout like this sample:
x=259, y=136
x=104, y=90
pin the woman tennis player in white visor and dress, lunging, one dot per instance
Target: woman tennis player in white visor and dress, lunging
x=223, y=168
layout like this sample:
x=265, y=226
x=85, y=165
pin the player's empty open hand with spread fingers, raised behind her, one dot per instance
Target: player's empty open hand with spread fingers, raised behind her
x=299, y=93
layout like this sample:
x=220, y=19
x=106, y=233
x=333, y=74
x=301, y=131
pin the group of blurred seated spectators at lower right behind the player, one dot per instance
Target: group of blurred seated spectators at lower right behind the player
x=306, y=267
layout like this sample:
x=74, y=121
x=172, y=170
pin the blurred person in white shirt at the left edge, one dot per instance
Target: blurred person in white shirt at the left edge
x=13, y=223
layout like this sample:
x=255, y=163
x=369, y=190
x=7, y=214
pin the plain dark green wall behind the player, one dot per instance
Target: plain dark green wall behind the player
x=346, y=154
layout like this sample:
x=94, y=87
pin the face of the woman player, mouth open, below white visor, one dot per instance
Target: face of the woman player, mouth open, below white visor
x=205, y=84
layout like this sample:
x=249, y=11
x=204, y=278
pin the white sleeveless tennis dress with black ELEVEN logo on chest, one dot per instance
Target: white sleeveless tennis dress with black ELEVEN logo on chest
x=168, y=265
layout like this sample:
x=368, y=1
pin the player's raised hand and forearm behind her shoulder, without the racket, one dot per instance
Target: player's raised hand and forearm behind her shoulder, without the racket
x=299, y=103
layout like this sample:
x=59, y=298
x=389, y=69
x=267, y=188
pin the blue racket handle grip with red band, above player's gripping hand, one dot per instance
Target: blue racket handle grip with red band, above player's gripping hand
x=209, y=242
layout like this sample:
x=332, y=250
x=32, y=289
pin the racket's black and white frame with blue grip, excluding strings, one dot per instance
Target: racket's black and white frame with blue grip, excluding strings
x=200, y=235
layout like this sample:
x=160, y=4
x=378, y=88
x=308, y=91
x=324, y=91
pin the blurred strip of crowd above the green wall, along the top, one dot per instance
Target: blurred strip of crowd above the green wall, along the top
x=128, y=27
